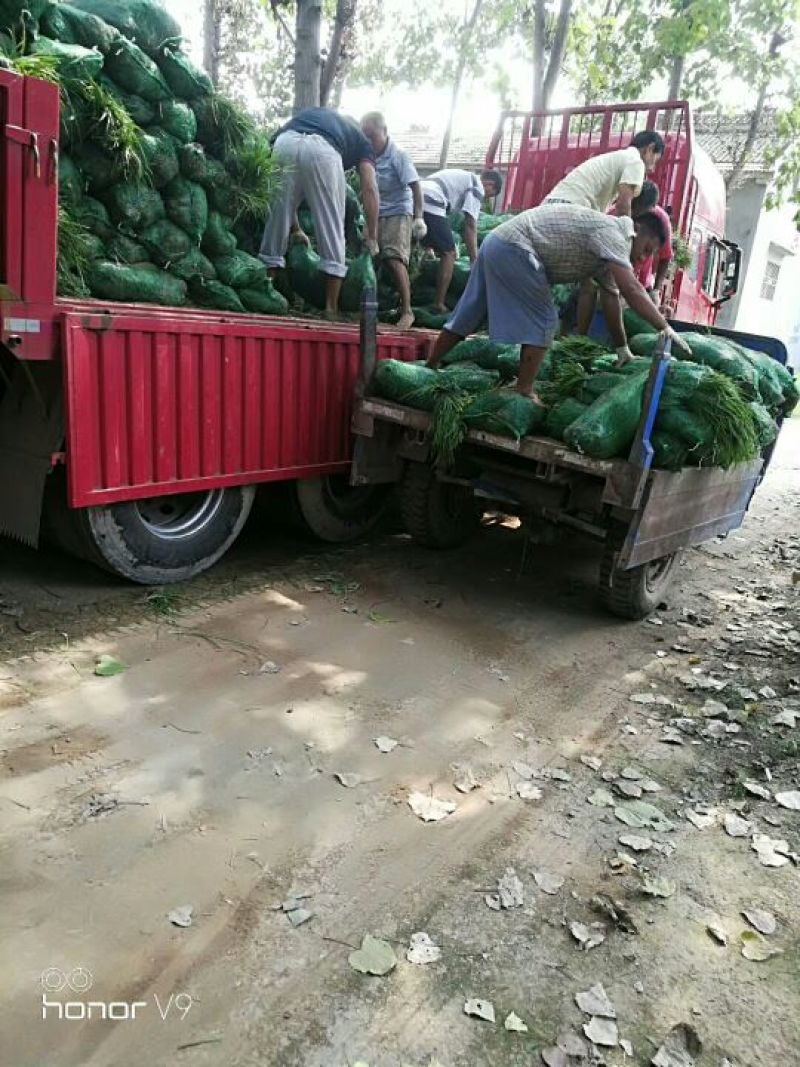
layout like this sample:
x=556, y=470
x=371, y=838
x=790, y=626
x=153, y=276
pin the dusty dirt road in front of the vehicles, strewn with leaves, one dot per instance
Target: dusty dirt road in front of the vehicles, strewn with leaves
x=198, y=777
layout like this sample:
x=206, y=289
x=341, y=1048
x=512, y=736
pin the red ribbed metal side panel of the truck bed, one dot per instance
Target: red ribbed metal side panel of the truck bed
x=172, y=405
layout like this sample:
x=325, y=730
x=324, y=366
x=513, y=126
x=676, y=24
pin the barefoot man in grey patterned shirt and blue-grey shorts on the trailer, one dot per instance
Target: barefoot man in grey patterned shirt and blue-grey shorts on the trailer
x=510, y=285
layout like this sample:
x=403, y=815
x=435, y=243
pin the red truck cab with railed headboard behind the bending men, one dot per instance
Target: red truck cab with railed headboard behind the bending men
x=536, y=151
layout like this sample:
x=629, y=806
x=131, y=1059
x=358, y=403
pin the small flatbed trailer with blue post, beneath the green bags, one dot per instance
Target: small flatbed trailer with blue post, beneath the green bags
x=644, y=517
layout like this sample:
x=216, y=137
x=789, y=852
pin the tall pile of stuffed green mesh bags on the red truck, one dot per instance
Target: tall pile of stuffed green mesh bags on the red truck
x=165, y=185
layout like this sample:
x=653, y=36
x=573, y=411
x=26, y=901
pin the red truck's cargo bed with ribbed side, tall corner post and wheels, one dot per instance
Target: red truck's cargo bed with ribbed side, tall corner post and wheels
x=138, y=435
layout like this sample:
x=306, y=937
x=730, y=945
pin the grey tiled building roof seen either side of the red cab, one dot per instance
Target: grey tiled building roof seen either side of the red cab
x=723, y=138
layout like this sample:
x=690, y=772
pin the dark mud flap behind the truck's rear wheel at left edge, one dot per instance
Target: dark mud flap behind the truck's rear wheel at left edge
x=31, y=431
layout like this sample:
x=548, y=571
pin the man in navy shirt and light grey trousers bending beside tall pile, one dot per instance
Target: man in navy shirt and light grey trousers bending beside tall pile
x=315, y=149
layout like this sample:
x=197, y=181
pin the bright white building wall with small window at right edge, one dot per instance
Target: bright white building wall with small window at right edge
x=776, y=241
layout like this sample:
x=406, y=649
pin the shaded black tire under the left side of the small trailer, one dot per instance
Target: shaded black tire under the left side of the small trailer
x=438, y=515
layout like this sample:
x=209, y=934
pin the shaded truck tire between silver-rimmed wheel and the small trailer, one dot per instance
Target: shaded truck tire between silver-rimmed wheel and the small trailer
x=333, y=511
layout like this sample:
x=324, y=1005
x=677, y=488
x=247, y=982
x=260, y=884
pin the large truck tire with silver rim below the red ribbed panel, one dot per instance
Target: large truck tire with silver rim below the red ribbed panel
x=157, y=540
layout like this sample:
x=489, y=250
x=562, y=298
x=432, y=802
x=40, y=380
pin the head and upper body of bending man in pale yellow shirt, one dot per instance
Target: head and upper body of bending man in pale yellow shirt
x=614, y=178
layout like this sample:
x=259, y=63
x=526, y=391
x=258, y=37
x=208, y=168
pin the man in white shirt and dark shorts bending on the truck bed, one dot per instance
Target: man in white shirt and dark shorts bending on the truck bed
x=445, y=193
